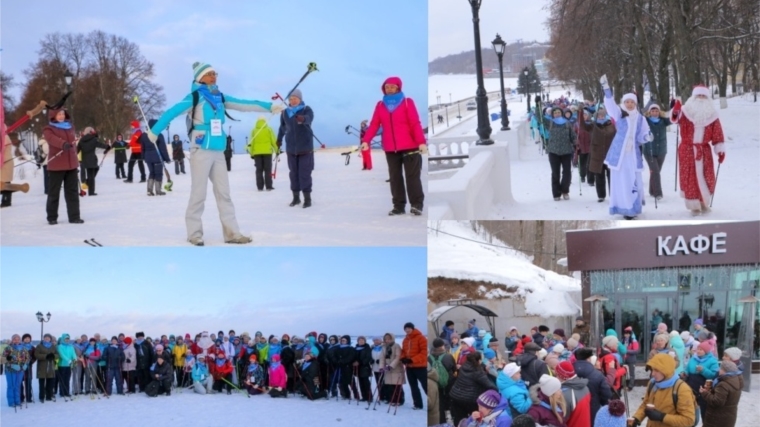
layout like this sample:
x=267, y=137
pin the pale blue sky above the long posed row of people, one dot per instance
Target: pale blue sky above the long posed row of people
x=356, y=291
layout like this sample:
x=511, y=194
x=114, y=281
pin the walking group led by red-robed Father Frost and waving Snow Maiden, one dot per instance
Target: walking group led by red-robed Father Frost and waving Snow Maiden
x=609, y=142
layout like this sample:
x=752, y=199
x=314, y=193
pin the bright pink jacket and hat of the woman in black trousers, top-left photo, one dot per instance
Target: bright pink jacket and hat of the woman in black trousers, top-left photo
x=401, y=129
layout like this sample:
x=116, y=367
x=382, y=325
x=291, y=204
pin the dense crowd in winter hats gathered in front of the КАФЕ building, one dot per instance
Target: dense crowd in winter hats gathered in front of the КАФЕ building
x=560, y=381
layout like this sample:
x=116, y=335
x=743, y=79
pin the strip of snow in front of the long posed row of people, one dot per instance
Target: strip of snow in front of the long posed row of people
x=209, y=410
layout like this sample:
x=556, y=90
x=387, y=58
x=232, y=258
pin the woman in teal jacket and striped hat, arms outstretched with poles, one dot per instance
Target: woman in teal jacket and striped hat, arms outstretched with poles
x=207, y=144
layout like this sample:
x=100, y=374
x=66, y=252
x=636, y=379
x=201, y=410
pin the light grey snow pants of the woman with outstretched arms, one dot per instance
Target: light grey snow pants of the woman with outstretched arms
x=208, y=165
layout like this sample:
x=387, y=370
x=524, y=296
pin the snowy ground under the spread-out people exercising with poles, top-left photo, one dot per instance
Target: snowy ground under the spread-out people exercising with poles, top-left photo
x=350, y=209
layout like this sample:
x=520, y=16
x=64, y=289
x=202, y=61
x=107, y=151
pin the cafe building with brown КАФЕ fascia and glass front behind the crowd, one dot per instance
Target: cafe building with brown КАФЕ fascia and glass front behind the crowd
x=644, y=276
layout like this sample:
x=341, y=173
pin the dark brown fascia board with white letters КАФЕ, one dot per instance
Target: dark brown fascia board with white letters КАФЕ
x=721, y=243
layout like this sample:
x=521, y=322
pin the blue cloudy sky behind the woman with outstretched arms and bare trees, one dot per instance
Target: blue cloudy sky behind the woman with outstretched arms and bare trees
x=258, y=48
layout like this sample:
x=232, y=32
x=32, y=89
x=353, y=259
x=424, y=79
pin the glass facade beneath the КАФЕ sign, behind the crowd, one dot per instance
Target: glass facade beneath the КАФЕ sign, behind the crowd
x=678, y=296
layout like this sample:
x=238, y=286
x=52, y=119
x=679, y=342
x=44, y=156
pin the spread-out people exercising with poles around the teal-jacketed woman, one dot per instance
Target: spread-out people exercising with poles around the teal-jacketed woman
x=403, y=141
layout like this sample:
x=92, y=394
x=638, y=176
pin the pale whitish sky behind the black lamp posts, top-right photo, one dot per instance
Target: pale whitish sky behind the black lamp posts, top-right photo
x=450, y=24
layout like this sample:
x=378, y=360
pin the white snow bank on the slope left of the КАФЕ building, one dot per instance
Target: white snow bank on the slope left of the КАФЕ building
x=545, y=292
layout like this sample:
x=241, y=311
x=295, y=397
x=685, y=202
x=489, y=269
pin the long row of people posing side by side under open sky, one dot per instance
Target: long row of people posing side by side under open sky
x=316, y=366
